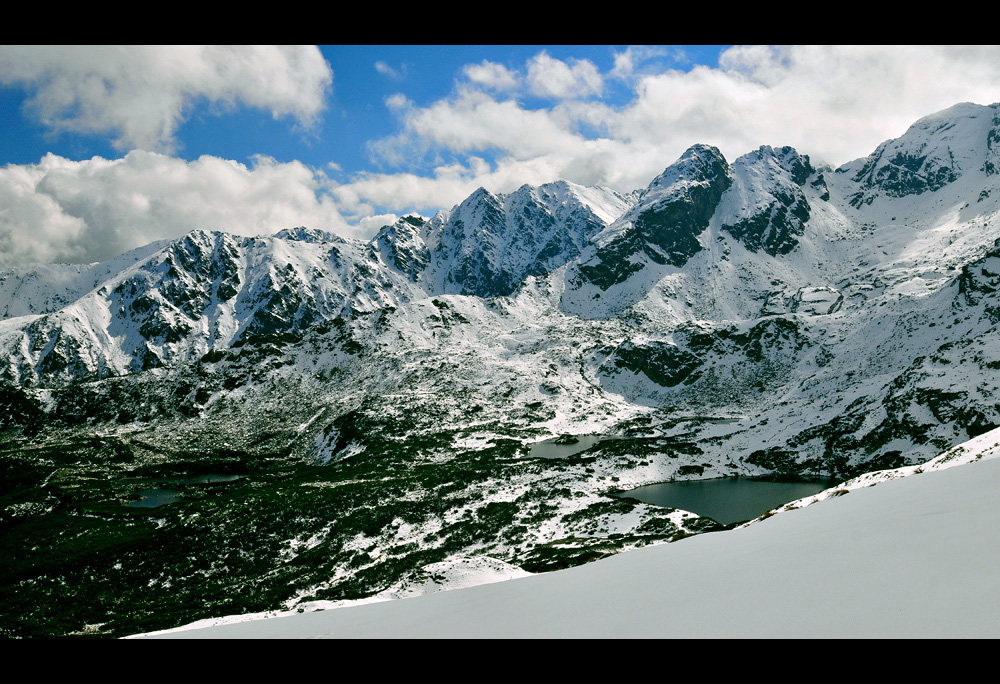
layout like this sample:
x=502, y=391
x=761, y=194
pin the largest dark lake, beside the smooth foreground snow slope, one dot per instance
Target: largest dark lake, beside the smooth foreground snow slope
x=726, y=500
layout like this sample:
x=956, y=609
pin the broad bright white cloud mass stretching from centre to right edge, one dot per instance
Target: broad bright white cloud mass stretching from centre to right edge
x=835, y=103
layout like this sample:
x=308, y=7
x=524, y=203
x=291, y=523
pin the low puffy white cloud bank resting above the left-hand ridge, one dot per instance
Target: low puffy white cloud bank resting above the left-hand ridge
x=84, y=211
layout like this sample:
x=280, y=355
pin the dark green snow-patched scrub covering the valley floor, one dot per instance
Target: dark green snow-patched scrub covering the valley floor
x=78, y=561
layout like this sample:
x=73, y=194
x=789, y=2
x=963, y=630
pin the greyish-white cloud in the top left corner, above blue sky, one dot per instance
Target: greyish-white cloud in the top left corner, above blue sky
x=141, y=94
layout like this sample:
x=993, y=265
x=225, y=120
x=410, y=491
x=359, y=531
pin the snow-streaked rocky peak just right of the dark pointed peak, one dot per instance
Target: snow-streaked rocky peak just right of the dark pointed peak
x=766, y=208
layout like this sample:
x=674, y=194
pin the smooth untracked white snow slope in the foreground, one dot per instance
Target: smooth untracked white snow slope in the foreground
x=913, y=557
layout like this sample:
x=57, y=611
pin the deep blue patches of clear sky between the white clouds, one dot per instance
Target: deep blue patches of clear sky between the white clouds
x=356, y=111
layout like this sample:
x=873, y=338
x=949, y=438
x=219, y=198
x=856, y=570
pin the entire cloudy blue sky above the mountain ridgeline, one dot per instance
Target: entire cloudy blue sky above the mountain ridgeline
x=106, y=148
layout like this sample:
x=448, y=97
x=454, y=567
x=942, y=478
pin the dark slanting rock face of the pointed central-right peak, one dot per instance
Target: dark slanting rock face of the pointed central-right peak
x=674, y=209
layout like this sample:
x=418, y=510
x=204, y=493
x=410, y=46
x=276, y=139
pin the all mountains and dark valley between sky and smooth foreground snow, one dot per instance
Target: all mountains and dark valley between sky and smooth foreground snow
x=369, y=409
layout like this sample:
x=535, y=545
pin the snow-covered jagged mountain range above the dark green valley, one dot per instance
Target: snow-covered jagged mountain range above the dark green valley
x=840, y=319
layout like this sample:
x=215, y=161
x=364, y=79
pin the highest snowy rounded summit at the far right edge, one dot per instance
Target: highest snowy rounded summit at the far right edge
x=934, y=152
